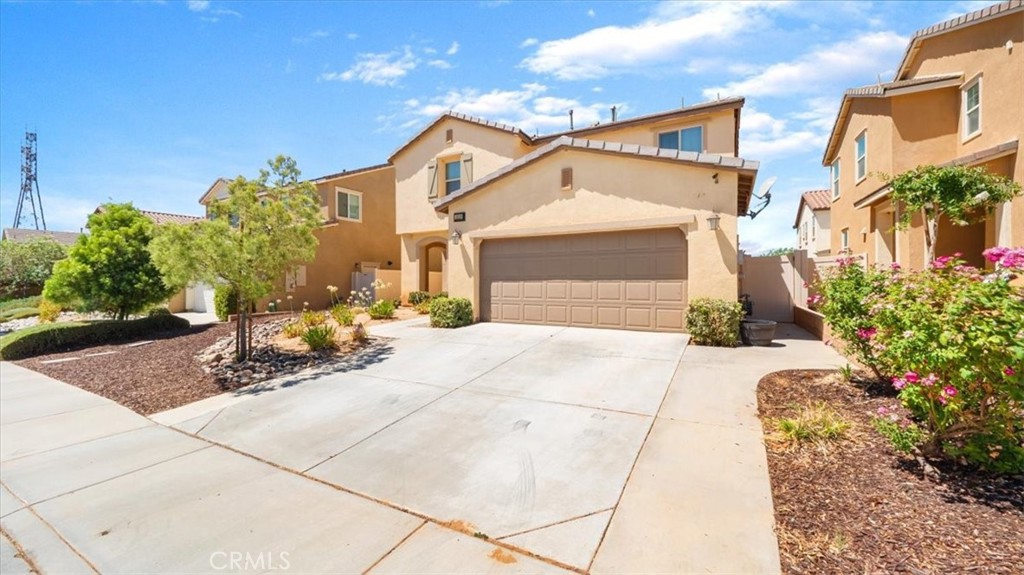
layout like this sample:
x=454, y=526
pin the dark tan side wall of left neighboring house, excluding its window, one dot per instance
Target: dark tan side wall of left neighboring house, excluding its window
x=345, y=244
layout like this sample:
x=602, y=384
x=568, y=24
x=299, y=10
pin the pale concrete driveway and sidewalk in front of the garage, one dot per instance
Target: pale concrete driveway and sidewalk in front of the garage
x=491, y=449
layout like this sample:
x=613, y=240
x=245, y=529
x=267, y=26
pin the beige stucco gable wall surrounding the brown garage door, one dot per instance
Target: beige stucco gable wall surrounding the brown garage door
x=610, y=192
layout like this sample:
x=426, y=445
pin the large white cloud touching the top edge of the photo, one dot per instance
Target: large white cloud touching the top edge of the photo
x=662, y=39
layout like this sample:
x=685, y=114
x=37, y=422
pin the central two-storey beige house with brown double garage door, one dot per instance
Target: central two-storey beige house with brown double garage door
x=615, y=226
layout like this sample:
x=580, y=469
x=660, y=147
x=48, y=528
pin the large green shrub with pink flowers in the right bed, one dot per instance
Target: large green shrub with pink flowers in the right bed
x=951, y=339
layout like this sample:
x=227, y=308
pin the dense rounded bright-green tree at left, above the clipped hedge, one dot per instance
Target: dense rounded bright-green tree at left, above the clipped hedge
x=109, y=270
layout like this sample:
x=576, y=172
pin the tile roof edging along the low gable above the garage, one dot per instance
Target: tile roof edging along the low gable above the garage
x=691, y=158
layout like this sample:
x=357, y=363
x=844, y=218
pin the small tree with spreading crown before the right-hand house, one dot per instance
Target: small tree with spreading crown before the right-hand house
x=965, y=196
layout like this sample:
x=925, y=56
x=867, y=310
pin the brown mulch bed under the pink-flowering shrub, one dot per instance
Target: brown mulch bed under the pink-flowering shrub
x=861, y=508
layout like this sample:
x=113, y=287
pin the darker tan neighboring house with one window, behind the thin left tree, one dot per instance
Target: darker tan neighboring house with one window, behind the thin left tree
x=358, y=235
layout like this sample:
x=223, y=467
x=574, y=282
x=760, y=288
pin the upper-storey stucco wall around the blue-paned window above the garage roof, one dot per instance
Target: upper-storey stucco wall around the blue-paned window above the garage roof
x=719, y=127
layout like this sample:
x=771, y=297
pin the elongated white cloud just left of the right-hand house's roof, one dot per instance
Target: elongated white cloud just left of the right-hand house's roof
x=842, y=65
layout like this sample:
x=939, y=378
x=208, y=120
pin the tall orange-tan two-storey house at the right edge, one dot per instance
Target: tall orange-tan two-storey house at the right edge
x=958, y=98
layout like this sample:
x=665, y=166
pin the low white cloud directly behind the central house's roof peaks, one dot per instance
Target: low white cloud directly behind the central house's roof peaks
x=529, y=108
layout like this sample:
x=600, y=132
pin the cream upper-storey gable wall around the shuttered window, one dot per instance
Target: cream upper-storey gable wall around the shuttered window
x=491, y=149
